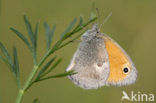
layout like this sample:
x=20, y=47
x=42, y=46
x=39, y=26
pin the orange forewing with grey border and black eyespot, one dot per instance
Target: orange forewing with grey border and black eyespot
x=122, y=69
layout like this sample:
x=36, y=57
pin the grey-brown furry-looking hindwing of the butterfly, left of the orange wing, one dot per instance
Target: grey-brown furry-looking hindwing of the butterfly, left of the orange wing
x=91, y=64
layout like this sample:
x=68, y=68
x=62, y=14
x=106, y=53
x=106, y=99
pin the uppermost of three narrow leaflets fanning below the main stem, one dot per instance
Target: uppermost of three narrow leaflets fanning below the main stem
x=45, y=67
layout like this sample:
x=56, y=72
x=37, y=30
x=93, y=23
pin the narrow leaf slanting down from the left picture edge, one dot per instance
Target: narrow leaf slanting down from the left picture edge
x=6, y=54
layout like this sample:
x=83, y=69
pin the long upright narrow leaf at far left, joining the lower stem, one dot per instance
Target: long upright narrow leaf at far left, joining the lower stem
x=16, y=67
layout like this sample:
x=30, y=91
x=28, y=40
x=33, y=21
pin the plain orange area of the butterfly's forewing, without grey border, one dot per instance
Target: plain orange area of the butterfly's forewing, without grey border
x=117, y=59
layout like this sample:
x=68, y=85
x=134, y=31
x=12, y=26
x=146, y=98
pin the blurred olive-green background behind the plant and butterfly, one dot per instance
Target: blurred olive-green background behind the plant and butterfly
x=132, y=25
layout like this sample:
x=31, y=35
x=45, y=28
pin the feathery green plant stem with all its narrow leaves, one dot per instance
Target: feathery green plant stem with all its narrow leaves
x=42, y=72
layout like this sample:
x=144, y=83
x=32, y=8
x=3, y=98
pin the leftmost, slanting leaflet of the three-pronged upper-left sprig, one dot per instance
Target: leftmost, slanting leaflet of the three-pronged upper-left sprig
x=21, y=36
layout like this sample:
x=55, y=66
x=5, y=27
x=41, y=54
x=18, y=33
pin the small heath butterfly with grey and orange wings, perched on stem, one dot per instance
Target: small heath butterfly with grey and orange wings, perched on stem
x=100, y=61
